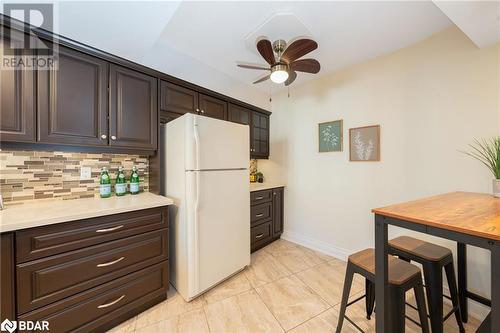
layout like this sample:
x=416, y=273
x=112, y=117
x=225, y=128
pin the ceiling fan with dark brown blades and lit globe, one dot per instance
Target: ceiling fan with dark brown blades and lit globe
x=283, y=60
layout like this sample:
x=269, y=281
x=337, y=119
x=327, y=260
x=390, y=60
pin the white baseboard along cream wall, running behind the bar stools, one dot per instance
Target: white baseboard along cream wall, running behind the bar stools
x=476, y=310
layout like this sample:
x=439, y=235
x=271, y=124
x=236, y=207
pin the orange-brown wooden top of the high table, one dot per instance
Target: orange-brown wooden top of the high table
x=474, y=214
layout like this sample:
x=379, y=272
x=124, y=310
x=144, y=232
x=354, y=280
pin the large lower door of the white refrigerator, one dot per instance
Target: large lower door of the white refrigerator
x=219, y=245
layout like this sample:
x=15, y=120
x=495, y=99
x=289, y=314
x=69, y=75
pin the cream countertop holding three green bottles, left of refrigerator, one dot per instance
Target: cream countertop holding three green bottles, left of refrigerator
x=36, y=214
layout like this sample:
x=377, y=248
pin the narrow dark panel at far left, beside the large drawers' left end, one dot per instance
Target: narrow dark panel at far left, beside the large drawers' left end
x=7, y=298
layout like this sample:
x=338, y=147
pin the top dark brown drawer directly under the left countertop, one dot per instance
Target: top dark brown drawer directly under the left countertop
x=49, y=240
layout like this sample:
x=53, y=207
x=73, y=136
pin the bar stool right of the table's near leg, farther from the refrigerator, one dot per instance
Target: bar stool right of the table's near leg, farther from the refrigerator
x=433, y=259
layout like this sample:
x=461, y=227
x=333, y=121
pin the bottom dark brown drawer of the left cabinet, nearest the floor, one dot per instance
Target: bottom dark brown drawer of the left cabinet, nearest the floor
x=90, y=310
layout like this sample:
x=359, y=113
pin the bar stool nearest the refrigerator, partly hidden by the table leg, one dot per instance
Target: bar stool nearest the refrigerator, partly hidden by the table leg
x=403, y=276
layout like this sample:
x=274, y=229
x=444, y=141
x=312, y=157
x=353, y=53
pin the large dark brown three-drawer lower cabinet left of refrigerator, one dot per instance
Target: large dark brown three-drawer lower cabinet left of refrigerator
x=91, y=275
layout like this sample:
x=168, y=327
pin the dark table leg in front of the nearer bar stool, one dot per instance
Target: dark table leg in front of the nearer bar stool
x=381, y=275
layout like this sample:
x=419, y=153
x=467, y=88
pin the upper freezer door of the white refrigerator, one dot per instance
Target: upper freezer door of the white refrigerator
x=213, y=144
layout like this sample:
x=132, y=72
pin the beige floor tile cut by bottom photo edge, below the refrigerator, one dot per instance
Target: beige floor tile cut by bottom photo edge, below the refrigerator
x=189, y=322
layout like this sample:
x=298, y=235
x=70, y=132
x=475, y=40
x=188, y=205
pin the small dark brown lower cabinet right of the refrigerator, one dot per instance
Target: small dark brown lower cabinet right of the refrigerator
x=266, y=217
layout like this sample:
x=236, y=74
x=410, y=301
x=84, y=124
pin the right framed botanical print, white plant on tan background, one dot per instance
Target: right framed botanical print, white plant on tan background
x=364, y=143
